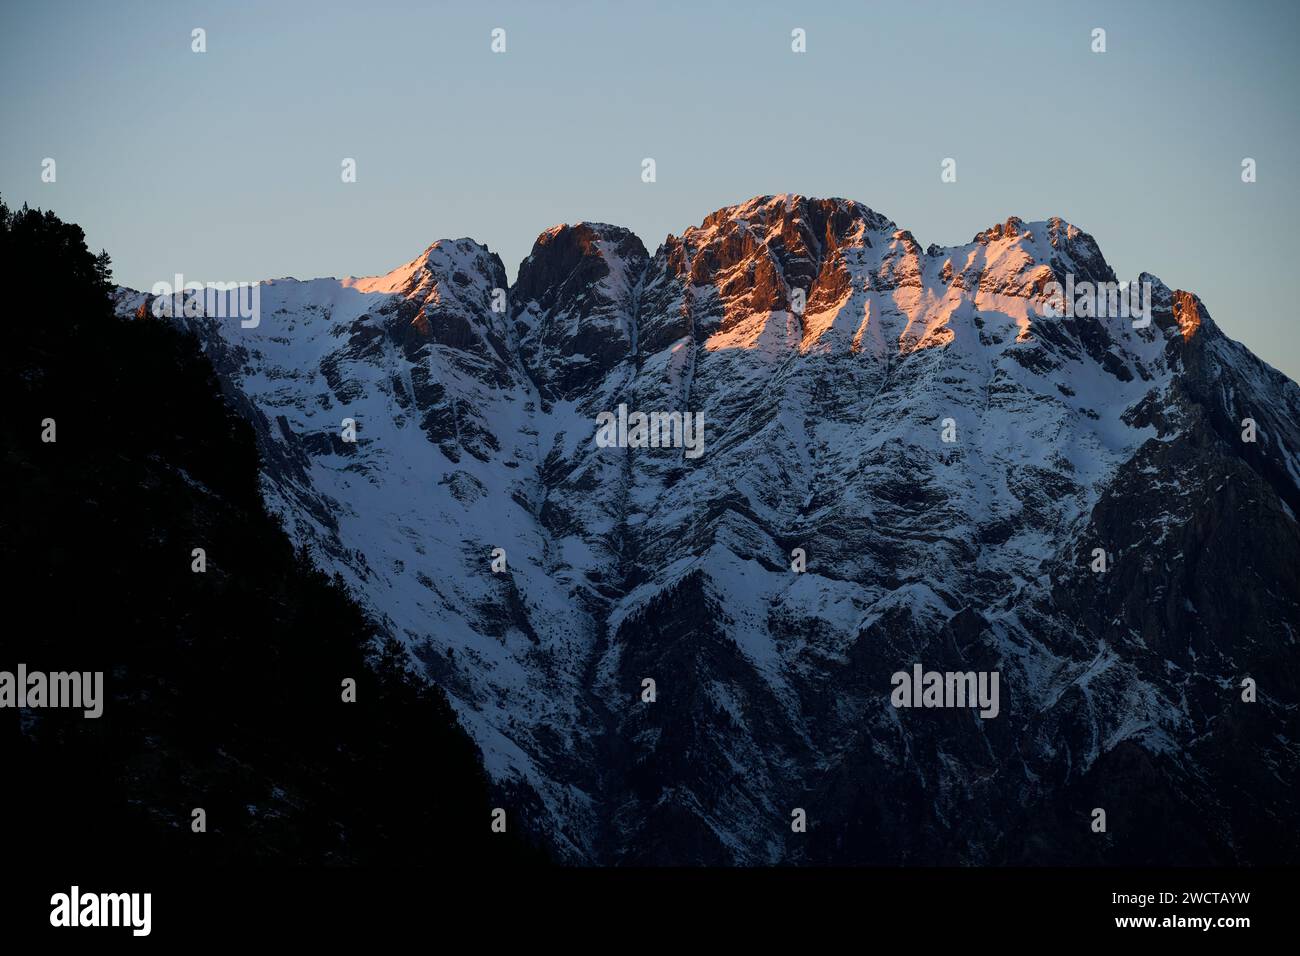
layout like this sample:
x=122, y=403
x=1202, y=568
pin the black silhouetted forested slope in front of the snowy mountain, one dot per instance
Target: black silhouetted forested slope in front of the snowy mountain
x=223, y=689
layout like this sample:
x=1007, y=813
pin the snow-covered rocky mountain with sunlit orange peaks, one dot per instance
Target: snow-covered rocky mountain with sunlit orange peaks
x=825, y=431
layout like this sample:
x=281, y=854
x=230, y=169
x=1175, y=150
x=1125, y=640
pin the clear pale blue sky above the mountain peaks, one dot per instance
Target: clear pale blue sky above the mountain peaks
x=226, y=166
